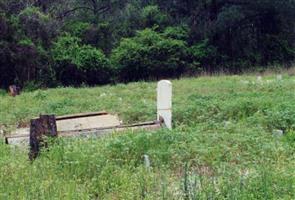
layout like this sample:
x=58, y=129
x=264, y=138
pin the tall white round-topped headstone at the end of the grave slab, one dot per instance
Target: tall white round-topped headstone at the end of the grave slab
x=164, y=102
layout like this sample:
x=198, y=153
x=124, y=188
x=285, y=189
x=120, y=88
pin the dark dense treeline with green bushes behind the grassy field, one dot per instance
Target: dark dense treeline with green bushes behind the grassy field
x=53, y=42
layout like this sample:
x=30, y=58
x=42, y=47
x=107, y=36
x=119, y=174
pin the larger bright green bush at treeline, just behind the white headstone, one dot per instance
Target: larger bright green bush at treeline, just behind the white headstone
x=150, y=55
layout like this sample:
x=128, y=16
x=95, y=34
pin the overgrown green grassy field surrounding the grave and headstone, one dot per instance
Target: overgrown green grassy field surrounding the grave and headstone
x=222, y=146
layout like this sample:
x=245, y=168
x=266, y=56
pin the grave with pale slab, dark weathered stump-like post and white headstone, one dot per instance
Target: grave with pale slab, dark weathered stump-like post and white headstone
x=90, y=124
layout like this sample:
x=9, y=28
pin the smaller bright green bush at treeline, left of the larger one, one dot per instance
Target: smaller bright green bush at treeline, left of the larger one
x=76, y=63
